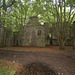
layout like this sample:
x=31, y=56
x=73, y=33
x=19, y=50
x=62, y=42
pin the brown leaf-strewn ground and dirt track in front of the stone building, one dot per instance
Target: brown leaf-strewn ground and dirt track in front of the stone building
x=61, y=62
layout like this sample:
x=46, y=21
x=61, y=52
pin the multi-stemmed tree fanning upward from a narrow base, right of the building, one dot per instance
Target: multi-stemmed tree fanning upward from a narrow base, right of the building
x=62, y=19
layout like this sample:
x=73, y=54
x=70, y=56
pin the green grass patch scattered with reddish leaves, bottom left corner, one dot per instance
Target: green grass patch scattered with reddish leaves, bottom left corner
x=10, y=68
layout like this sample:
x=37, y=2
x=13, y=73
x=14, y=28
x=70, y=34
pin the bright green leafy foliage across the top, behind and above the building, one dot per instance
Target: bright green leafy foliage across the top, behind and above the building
x=23, y=9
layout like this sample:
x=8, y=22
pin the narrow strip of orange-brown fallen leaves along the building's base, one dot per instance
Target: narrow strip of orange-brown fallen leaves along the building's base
x=48, y=48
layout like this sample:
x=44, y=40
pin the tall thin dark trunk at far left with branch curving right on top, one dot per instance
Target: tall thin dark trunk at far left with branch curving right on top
x=3, y=19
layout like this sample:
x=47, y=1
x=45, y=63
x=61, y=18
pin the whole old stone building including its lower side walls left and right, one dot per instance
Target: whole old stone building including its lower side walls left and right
x=32, y=34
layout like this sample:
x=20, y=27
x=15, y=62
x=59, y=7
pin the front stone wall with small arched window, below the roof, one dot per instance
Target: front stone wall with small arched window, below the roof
x=33, y=36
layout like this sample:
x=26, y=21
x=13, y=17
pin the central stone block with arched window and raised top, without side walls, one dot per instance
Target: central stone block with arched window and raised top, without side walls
x=33, y=34
